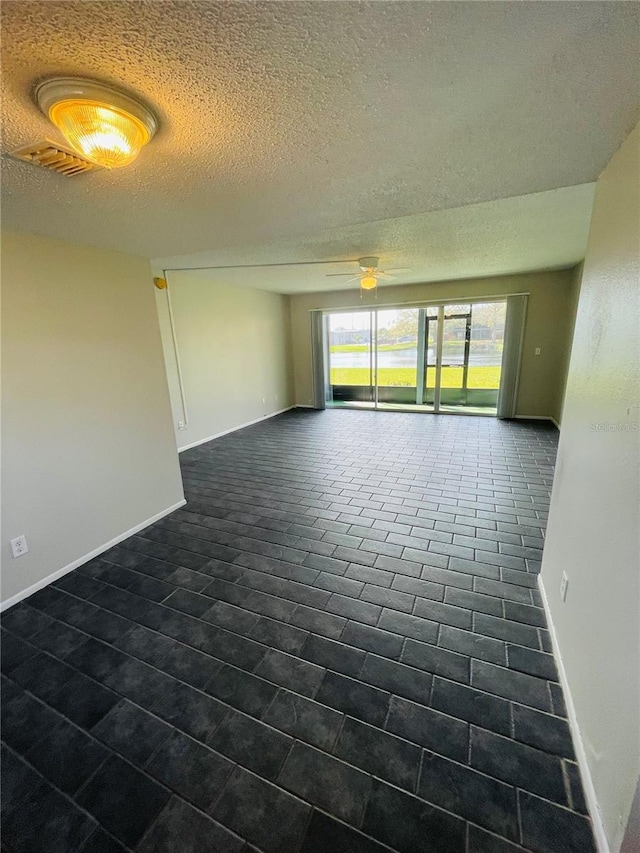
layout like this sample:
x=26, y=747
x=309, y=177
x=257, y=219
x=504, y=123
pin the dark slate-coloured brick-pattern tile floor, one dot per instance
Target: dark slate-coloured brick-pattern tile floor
x=337, y=645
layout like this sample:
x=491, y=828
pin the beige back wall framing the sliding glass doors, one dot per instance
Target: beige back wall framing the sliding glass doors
x=548, y=326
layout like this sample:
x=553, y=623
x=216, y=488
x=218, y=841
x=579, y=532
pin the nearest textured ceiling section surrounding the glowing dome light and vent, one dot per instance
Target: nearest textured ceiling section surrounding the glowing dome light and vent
x=280, y=122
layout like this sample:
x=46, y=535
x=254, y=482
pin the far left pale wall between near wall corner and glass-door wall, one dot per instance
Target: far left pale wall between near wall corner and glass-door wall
x=234, y=347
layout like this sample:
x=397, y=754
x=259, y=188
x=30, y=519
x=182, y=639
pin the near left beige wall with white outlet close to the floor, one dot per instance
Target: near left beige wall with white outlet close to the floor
x=87, y=448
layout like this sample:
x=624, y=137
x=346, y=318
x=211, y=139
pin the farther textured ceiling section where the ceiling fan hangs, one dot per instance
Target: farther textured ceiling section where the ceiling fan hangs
x=539, y=231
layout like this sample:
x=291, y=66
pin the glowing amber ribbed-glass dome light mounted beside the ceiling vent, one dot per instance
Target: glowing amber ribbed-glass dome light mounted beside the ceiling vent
x=103, y=124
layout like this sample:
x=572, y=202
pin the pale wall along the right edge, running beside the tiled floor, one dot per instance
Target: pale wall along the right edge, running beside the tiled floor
x=595, y=506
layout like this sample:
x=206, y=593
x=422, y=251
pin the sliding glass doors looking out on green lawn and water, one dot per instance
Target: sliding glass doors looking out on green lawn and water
x=433, y=358
